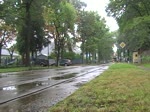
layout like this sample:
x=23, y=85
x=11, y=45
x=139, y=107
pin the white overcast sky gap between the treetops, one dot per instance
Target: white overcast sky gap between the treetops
x=99, y=6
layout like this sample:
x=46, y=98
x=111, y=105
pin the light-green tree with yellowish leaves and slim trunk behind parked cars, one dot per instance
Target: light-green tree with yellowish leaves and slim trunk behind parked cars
x=60, y=18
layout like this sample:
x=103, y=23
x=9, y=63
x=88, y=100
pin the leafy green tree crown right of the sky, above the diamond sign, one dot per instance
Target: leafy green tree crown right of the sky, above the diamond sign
x=135, y=26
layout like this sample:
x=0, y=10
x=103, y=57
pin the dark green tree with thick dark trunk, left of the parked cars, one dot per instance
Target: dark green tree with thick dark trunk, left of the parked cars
x=30, y=29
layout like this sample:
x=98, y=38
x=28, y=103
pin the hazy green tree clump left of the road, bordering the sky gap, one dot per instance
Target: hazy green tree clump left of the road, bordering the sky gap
x=95, y=37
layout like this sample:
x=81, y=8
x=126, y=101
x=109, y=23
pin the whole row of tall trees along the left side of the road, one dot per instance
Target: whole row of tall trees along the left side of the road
x=35, y=23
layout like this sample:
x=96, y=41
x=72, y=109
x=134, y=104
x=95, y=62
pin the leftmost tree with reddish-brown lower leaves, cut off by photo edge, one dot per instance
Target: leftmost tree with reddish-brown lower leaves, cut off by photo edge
x=7, y=23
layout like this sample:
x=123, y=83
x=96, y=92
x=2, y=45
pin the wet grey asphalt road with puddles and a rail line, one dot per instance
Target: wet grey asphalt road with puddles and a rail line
x=37, y=91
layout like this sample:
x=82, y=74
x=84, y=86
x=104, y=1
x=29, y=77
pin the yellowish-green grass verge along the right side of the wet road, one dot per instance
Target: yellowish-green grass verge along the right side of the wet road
x=122, y=88
